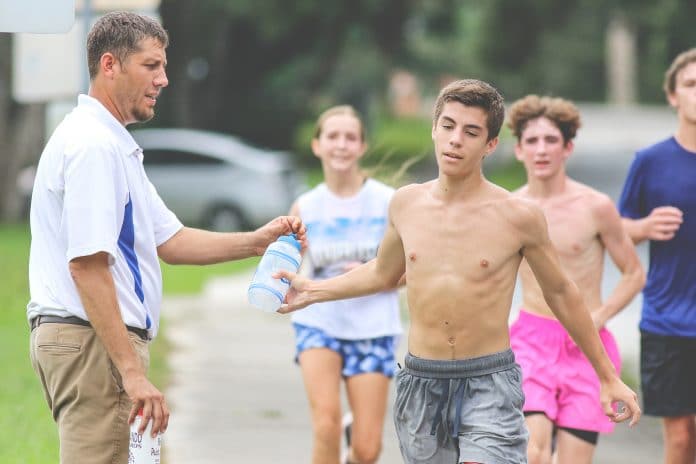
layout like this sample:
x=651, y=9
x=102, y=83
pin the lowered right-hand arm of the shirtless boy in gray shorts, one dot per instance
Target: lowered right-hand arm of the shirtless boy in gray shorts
x=564, y=299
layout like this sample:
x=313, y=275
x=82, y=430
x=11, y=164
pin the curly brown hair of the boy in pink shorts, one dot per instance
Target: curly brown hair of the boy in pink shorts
x=563, y=113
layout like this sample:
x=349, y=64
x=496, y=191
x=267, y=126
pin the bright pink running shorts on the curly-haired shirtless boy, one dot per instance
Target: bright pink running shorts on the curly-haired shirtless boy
x=557, y=378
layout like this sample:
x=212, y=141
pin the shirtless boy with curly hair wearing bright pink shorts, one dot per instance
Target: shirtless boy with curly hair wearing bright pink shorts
x=561, y=389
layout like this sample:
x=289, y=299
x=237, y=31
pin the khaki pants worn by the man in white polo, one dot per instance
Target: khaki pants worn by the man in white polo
x=84, y=391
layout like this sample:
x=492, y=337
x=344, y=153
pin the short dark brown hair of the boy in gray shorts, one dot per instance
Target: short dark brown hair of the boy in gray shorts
x=479, y=94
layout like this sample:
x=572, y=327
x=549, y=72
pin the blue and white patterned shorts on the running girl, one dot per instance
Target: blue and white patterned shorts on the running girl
x=359, y=356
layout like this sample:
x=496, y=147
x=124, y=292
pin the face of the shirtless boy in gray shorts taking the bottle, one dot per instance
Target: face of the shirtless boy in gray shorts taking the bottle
x=460, y=136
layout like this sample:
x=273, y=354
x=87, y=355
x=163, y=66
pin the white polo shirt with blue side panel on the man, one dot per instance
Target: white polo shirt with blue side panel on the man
x=91, y=194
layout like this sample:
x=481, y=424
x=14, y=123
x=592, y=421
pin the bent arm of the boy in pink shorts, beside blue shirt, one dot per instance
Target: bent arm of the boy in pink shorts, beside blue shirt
x=623, y=254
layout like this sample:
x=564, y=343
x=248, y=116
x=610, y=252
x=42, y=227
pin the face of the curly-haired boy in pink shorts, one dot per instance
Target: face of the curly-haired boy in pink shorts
x=541, y=149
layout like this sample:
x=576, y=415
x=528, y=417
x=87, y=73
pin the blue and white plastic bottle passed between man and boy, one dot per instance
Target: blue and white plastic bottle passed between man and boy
x=265, y=292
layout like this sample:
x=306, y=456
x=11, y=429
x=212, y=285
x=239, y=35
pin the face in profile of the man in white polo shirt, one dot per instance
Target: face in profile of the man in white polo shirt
x=138, y=82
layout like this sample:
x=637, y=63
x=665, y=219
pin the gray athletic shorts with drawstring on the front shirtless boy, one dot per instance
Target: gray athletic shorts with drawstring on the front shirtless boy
x=467, y=410
